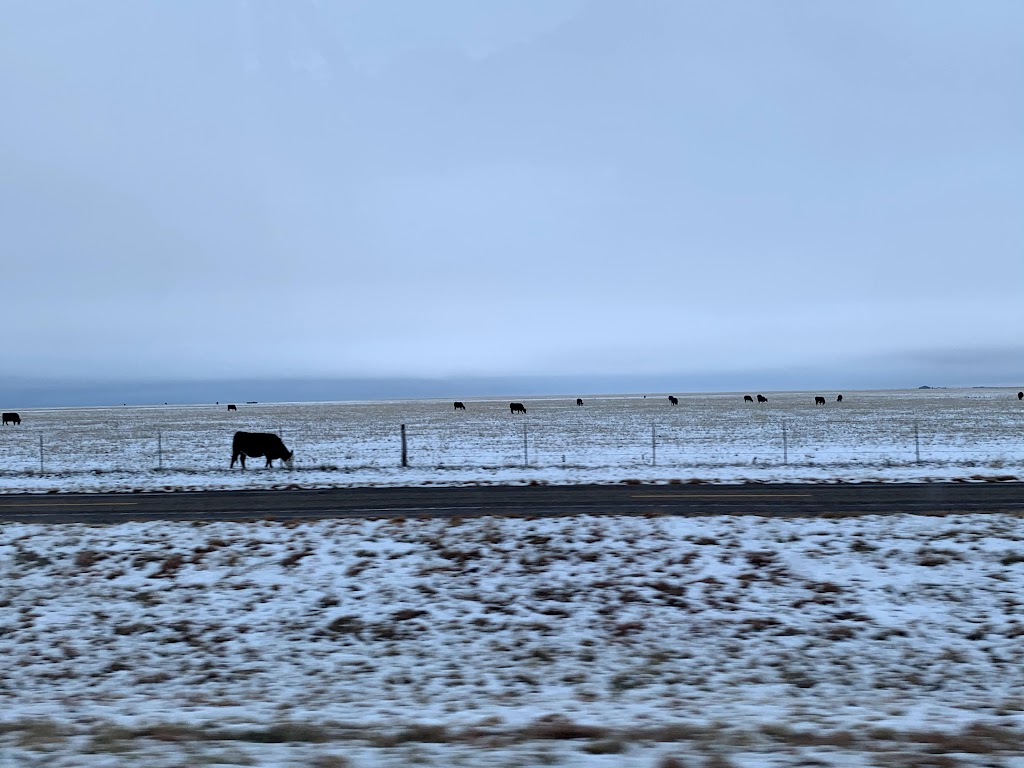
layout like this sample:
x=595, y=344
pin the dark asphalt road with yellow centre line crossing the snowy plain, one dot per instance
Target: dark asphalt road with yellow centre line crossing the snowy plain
x=531, y=501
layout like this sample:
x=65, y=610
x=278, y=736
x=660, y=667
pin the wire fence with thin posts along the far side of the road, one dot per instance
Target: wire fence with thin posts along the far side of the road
x=337, y=447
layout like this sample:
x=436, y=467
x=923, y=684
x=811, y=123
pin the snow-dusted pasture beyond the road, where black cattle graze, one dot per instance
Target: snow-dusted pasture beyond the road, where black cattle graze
x=894, y=436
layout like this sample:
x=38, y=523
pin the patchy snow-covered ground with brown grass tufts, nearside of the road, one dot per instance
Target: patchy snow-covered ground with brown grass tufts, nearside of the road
x=592, y=642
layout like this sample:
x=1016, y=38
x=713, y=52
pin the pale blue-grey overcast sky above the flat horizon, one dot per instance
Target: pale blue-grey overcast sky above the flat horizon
x=724, y=195
